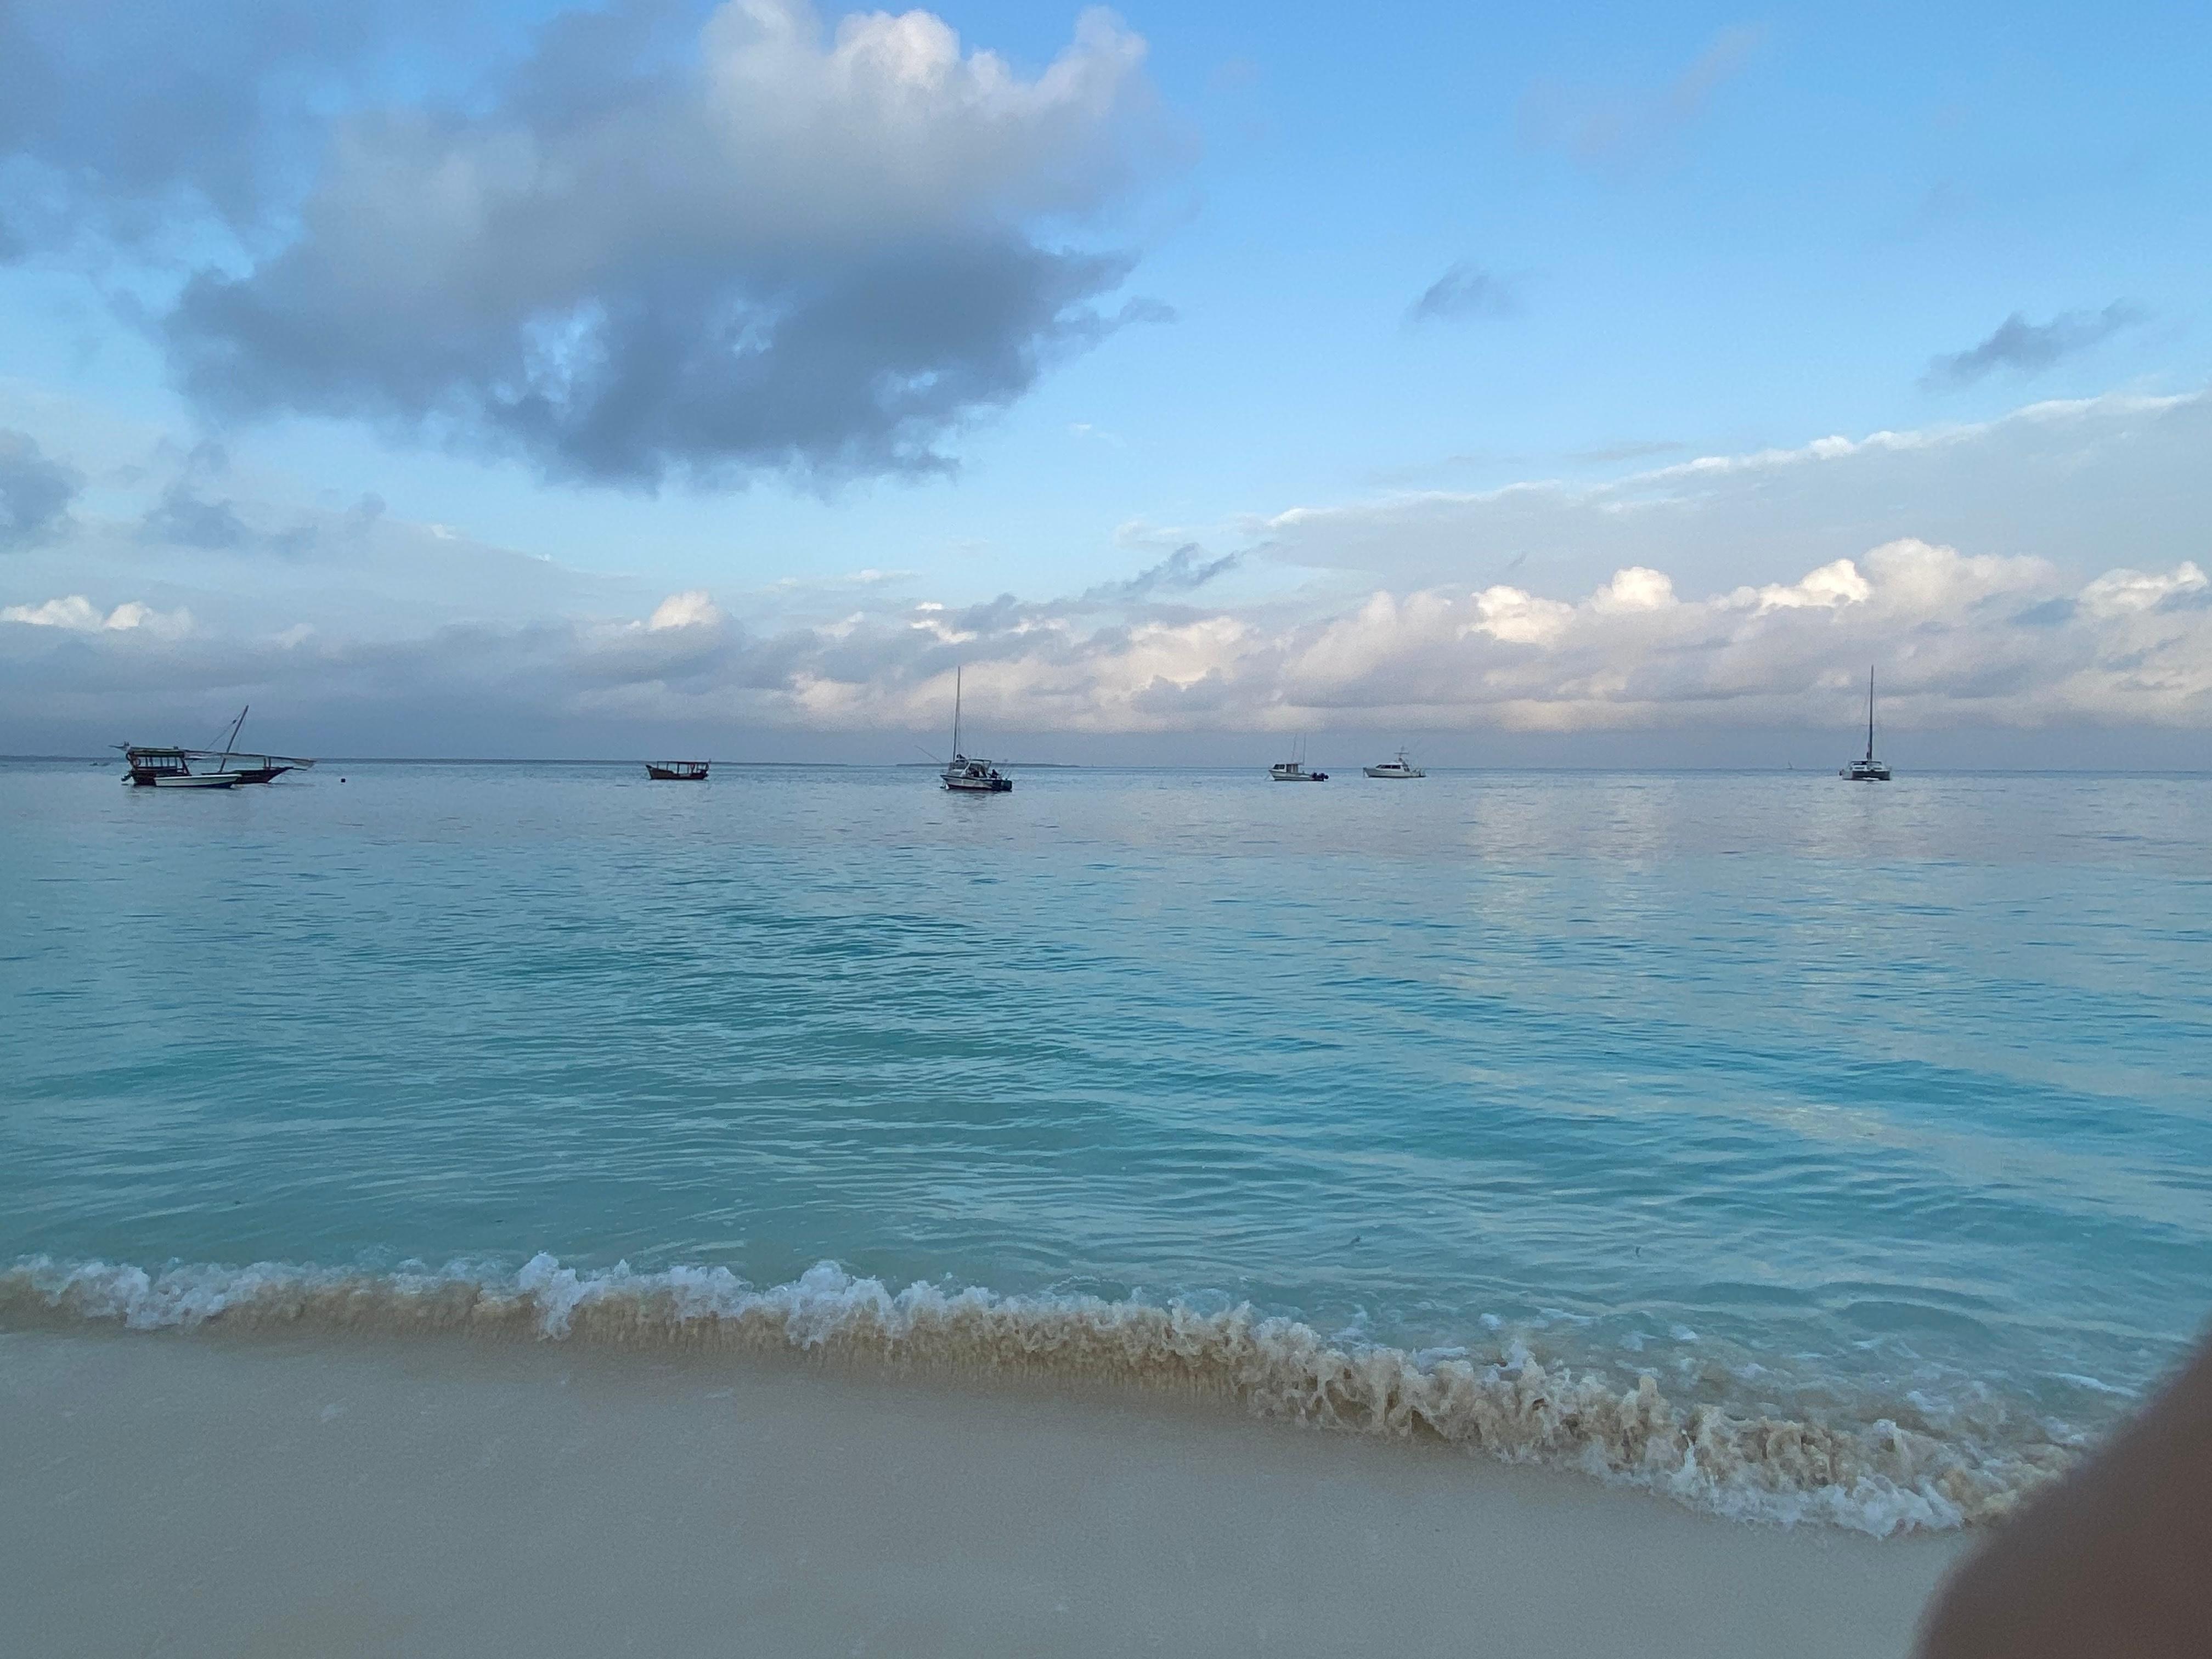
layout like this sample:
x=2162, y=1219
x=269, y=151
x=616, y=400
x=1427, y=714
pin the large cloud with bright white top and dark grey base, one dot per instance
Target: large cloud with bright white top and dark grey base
x=654, y=255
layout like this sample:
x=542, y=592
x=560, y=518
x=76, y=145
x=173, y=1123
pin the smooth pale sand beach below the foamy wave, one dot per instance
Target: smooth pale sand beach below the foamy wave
x=205, y=1496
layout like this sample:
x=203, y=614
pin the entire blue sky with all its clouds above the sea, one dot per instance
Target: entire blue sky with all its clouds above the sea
x=1532, y=386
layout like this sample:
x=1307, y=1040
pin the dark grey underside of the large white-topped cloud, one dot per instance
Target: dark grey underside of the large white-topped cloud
x=687, y=371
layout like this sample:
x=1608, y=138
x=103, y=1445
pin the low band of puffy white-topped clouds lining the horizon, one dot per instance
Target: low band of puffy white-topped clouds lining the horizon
x=1948, y=629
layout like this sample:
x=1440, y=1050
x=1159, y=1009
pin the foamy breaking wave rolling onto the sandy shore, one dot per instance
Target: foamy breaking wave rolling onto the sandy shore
x=1870, y=1474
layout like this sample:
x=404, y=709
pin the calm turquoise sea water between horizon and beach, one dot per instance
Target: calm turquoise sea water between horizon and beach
x=1824, y=1105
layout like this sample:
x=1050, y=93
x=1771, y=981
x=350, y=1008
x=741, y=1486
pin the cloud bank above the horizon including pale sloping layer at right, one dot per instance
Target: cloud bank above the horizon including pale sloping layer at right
x=1410, y=614
